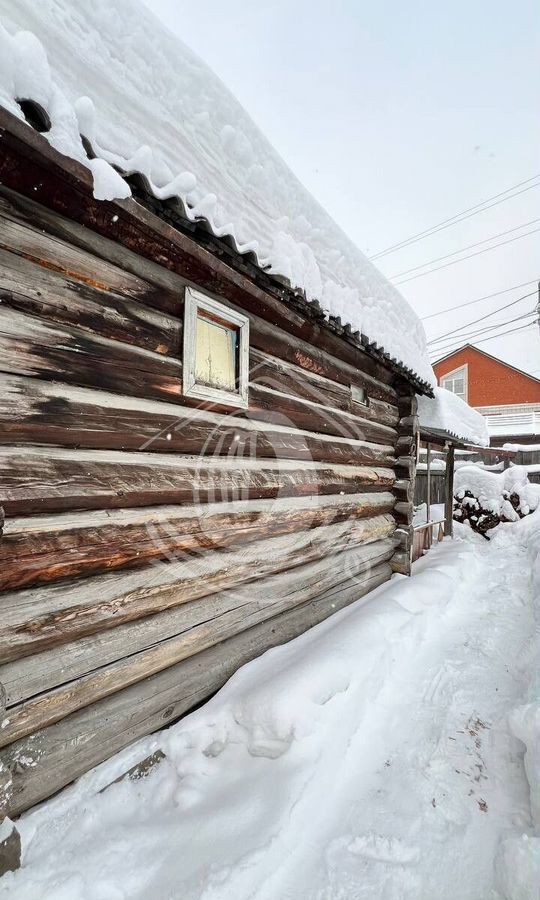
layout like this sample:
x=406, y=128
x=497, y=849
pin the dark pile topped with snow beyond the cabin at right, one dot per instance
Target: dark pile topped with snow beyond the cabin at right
x=483, y=499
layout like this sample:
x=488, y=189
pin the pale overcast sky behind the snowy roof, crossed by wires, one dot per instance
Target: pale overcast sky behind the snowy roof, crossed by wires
x=397, y=116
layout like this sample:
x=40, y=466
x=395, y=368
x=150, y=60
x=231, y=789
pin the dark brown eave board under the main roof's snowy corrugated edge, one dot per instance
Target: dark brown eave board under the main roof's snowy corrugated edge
x=155, y=217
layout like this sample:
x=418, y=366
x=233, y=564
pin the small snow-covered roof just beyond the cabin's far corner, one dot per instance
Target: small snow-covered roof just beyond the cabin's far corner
x=448, y=413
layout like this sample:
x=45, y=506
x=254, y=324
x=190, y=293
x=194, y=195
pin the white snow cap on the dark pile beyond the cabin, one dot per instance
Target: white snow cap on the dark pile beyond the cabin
x=492, y=490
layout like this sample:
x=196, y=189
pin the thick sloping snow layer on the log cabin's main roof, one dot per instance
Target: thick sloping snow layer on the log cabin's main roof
x=111, y=72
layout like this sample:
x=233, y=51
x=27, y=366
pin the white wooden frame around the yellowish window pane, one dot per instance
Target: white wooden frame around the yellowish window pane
x=193, y=302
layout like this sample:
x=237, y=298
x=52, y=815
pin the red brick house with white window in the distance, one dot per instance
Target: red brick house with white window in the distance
x=508, y=397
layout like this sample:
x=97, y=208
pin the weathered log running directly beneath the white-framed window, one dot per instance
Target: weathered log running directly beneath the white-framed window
x=69, y=415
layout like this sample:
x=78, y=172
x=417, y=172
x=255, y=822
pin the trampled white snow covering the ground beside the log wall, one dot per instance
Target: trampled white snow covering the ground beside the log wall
x=370, y=758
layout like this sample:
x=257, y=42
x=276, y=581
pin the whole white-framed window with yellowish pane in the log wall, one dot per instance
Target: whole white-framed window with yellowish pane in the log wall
x=216, y=351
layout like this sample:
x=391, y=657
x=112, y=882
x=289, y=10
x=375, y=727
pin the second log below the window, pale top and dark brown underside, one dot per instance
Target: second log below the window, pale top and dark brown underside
x=43, y=479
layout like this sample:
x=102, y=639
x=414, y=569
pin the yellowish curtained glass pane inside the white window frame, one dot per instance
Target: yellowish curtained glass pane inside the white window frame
x=216, y=352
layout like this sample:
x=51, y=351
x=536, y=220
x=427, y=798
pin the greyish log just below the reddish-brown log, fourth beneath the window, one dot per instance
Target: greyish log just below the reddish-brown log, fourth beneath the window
x=37, y=618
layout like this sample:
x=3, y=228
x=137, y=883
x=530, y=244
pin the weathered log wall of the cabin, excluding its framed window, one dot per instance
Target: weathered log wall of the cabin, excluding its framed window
x=150, y=547
